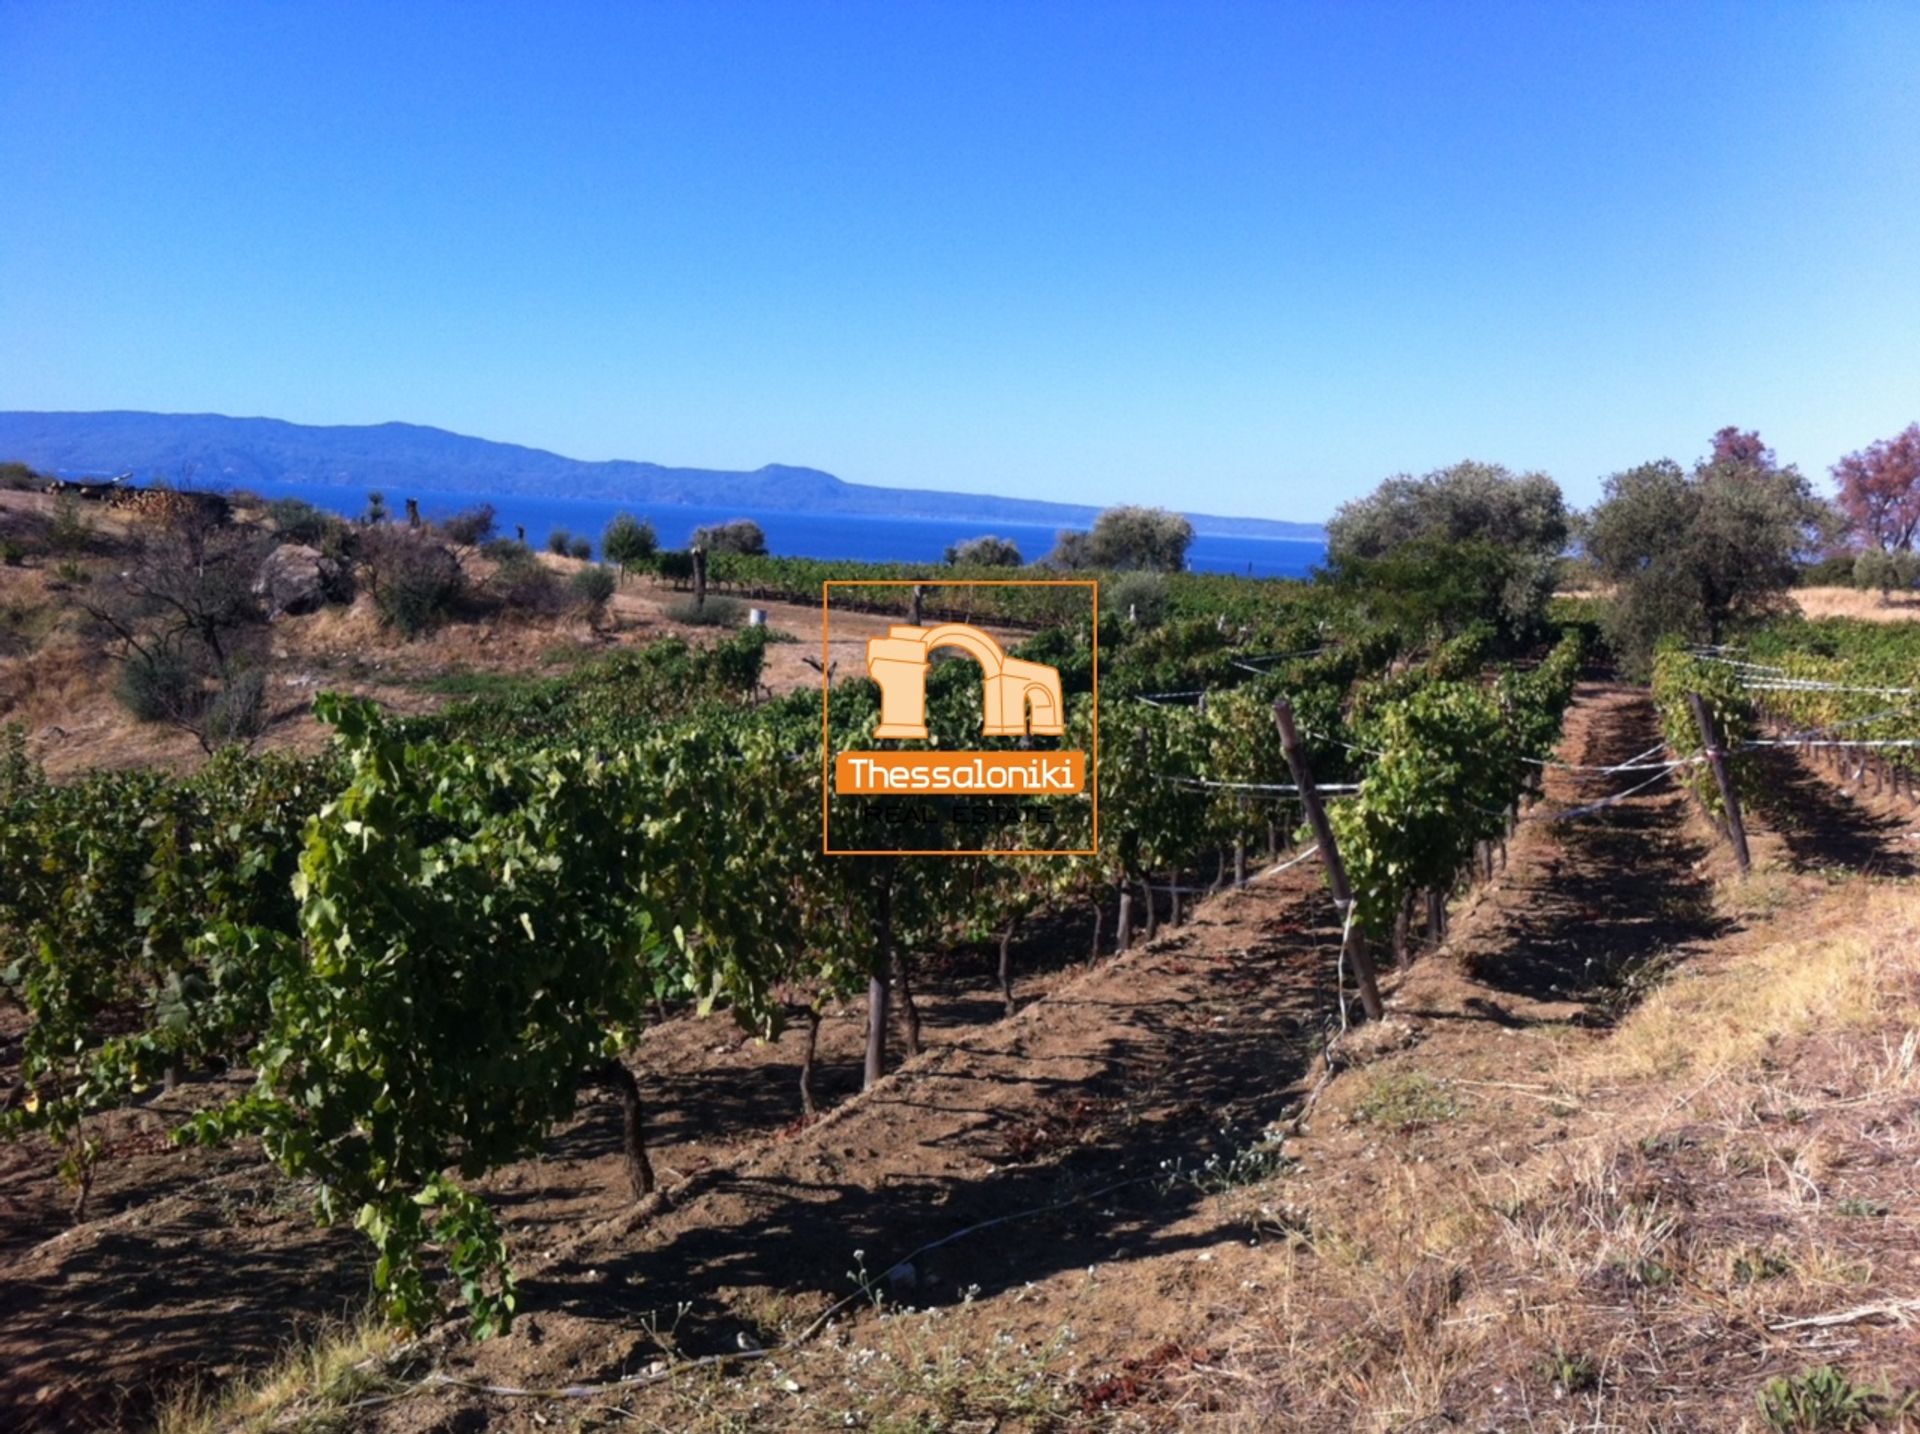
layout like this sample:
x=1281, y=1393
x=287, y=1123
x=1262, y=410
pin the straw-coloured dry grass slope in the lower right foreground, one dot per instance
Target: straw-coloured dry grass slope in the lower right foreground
x=1733, y=1159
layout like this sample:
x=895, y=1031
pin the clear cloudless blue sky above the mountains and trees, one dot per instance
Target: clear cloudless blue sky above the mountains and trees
x=1226, y=258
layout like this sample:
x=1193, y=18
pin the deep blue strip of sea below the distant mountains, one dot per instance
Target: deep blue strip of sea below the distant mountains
x=802, y=535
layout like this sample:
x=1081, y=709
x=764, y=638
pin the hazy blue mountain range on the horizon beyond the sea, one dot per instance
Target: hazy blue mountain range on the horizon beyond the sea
x=208, y=450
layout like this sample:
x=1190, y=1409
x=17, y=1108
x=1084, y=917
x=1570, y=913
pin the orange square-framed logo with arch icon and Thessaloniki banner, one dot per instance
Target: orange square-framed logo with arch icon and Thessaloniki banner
x=913, y=798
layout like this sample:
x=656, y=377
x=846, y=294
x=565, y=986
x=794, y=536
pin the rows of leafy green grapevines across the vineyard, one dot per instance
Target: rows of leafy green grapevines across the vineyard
x=423, y=947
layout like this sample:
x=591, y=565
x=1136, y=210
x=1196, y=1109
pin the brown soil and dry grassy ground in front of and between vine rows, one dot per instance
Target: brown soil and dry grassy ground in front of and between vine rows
x=1629, y=1126
